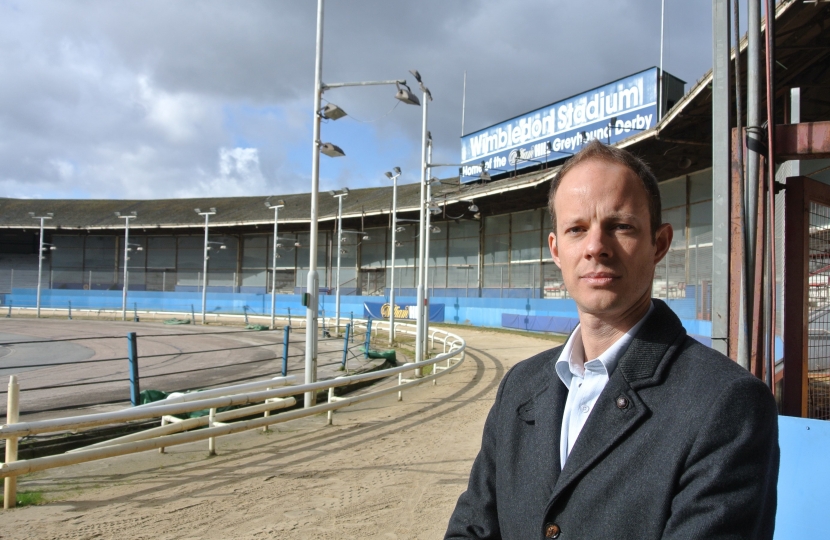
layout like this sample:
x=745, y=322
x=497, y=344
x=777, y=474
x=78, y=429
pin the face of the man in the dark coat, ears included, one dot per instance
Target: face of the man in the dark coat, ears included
x=603, y=241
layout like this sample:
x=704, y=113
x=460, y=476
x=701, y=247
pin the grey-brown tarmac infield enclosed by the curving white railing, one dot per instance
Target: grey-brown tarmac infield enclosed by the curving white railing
x=90, y=373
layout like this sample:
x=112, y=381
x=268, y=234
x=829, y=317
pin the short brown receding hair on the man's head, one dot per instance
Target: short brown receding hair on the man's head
x=597, y=150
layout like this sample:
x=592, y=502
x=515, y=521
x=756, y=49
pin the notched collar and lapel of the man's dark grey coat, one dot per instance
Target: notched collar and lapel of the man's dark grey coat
x=619, y=409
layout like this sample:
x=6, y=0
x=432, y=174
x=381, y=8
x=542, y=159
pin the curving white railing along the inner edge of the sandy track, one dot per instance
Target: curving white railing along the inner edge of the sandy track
x=271, y=394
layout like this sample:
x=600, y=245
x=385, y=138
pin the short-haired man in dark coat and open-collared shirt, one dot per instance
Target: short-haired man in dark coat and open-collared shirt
x=631, y=429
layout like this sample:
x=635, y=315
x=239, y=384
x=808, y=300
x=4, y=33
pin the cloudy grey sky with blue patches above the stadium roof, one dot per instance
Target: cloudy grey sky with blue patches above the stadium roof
x=185, y=98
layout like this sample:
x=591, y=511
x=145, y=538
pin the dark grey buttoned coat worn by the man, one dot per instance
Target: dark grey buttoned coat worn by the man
x=682, y=443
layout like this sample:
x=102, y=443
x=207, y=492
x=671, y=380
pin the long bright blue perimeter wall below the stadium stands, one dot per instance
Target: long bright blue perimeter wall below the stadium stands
x=534, y=314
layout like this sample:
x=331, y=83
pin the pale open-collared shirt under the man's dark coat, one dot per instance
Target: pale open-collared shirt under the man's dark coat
x=586, y=381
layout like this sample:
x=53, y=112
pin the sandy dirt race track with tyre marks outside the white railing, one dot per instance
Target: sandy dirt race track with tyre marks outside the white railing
x=385, y=469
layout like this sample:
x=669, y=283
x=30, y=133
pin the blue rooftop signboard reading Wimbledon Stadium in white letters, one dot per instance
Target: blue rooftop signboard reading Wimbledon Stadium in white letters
x=559, y=130
